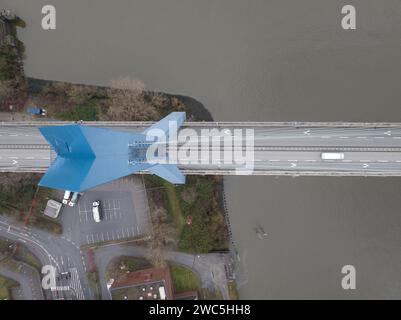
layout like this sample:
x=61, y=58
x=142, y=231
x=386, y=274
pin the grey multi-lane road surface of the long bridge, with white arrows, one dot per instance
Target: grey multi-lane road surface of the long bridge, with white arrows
x=279, y=148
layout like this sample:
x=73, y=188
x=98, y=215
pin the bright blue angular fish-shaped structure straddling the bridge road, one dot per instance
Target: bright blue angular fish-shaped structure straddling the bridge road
x=90, y=156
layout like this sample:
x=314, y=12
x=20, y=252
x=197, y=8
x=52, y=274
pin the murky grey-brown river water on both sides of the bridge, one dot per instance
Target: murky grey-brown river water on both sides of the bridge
x=264, y=60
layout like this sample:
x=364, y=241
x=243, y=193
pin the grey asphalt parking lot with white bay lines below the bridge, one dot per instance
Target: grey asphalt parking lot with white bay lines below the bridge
x=123, y=212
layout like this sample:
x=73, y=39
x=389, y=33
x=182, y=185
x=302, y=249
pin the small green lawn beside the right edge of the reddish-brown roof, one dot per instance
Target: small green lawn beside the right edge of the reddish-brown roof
x=183, y=279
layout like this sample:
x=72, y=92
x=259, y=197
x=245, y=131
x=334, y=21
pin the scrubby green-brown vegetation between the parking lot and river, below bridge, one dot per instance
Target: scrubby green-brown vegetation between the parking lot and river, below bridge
x=198, y=202
